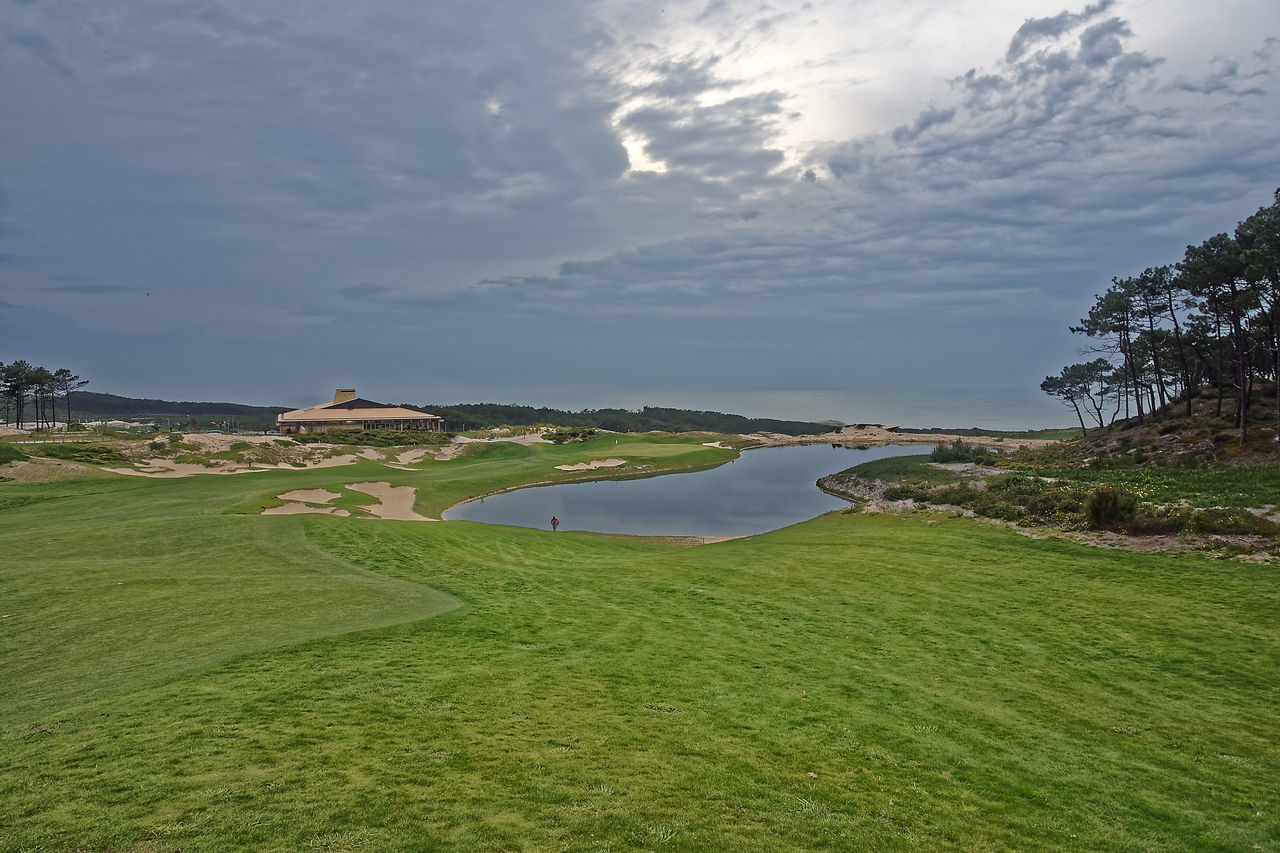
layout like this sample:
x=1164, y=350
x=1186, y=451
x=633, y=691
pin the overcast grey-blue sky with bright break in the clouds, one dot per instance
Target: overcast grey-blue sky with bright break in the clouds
x=868, y=211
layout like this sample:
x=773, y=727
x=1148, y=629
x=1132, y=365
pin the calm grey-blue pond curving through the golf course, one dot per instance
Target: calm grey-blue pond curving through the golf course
x=764, y=490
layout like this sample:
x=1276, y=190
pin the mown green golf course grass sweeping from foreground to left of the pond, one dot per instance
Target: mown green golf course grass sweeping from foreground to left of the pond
x=182, y=678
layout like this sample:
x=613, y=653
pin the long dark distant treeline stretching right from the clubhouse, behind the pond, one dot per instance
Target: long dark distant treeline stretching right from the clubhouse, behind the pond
x=460, y=417
